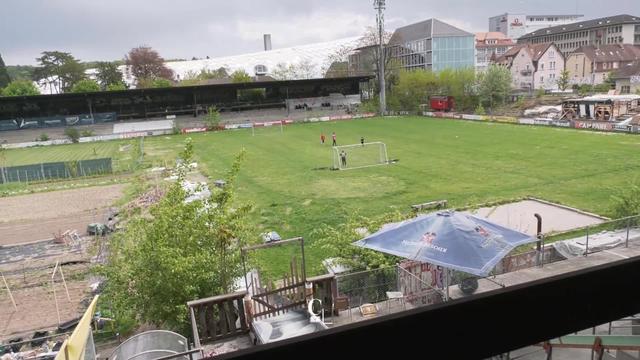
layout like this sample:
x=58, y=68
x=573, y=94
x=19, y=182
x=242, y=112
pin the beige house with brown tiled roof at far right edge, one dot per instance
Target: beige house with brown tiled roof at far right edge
x=592, y=64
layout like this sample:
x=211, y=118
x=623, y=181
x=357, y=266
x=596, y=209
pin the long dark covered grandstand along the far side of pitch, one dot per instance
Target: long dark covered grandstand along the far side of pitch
x=89, y=108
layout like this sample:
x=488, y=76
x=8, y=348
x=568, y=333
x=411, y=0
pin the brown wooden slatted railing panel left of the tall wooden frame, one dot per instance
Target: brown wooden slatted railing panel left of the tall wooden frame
x=214, y=318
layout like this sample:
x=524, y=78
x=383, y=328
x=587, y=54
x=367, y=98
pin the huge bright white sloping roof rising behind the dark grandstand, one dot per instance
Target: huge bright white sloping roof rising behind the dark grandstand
x=315, y=56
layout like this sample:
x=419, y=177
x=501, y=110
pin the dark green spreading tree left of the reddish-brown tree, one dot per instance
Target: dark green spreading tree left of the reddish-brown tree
x=59, y=70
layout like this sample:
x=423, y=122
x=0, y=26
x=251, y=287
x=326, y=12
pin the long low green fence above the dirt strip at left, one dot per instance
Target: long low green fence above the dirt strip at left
x=56, y=170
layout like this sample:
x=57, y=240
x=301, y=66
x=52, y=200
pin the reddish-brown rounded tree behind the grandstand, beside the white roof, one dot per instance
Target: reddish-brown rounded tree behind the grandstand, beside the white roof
x=146, y=64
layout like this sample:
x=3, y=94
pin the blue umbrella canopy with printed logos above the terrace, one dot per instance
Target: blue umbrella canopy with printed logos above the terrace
x=450, y=239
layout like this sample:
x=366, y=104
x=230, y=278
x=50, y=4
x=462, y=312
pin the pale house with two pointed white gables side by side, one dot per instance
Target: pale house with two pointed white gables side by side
x=534, y=67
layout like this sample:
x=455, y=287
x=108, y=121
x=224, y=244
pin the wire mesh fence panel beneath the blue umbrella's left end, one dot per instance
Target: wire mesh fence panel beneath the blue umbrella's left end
x=368, y=286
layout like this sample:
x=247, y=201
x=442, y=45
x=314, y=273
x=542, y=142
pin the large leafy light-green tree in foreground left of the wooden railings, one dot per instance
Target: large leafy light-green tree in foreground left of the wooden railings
x=179, y=251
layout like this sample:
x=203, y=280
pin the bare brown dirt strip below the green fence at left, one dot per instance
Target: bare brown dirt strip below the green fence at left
x=37, y=217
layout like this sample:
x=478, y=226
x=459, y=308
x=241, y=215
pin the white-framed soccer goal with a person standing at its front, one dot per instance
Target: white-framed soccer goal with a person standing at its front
x=349, y=157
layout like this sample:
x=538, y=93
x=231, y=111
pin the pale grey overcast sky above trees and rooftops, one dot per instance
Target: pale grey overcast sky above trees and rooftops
x=107, y=29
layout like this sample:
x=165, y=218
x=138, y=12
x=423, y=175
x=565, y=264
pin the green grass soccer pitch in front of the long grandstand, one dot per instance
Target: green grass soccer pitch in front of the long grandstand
x=286, y=174
